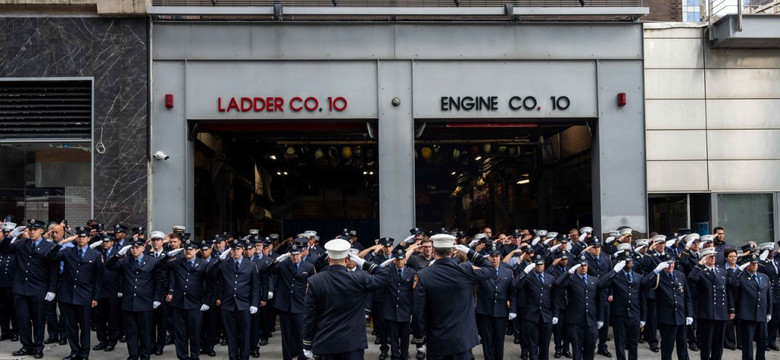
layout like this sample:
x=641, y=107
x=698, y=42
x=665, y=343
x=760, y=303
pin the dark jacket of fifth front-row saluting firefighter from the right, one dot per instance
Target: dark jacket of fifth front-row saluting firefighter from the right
x=583, y=309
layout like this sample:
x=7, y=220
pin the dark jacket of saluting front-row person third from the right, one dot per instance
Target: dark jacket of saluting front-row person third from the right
x=673, y=297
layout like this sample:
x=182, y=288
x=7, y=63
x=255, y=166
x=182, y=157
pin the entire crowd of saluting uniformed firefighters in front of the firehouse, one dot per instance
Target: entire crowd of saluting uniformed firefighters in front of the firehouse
x=443, y=293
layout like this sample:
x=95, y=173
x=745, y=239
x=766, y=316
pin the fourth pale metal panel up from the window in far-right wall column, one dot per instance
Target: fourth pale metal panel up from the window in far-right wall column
x=743, y=83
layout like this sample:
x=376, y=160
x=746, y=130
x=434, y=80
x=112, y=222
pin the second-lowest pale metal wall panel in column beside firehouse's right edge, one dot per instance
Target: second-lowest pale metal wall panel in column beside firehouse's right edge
x=676, y=145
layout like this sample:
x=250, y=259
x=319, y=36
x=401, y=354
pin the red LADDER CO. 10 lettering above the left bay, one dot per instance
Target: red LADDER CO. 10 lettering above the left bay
x=279, y=104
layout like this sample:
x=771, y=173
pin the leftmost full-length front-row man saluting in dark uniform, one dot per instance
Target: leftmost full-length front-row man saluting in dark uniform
x=34, y=277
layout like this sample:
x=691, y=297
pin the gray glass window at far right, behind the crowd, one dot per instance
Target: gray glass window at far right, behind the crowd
x=746, y=217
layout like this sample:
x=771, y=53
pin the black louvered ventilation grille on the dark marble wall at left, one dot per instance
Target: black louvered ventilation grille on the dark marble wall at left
x=45, y=109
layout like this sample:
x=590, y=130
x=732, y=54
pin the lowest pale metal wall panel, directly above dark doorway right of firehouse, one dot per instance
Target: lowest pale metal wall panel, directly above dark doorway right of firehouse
x=676, y=176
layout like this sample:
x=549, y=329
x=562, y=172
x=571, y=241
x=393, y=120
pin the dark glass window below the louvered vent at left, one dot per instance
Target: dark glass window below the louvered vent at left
x=47, y=181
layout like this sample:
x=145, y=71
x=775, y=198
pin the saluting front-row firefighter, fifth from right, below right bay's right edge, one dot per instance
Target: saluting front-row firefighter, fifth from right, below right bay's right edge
x=583, y=312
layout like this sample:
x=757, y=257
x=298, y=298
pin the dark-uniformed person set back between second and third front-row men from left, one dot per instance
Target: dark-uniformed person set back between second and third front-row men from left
x=107, y=314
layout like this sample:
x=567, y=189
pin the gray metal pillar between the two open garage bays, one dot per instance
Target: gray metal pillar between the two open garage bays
x=396, y=147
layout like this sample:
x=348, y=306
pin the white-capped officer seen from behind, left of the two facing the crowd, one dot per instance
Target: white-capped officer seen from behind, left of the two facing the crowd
x=335, y=328
